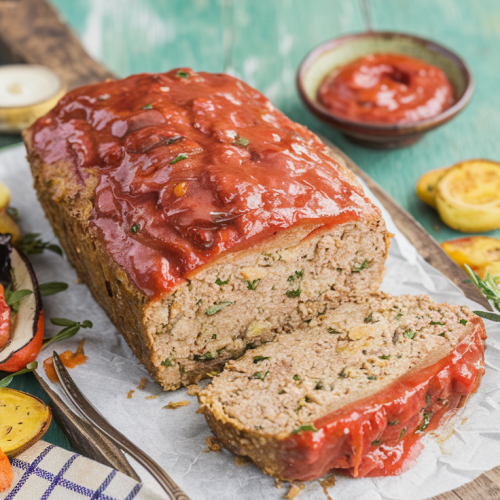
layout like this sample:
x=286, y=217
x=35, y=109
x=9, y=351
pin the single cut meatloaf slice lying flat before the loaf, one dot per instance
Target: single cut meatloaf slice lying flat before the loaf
x=354, y=389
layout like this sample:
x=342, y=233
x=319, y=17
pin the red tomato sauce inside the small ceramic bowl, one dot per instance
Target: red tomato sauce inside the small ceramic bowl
x=386, y=88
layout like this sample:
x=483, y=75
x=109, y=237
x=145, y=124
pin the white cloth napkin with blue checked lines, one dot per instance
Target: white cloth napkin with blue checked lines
x=47, y=472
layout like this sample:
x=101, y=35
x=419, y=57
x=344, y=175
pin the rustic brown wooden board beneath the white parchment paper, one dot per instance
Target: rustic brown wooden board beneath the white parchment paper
x=31, y=31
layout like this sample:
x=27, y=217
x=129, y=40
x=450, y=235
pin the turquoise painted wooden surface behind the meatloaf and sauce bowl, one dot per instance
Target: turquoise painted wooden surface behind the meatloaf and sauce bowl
x=267, y=42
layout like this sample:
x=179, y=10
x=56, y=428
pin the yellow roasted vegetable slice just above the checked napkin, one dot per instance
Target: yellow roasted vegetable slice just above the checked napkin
x=24, y=419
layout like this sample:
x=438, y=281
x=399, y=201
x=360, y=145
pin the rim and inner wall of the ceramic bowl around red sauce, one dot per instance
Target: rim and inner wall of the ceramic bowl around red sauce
x=454, y=67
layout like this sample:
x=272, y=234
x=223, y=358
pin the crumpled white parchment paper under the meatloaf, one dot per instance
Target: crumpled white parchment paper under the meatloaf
x=176, y=438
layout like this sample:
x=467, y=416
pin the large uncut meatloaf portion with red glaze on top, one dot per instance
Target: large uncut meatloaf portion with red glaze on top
x=202, y=219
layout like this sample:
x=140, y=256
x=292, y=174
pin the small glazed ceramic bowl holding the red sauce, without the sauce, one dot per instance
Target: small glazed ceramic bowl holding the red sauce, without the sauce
x=338, y=52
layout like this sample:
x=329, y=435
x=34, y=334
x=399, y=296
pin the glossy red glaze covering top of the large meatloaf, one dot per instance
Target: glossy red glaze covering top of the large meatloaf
x=243, y=172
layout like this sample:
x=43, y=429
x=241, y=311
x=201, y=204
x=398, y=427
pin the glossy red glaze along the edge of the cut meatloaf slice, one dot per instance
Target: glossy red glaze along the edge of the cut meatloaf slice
x=380, y=435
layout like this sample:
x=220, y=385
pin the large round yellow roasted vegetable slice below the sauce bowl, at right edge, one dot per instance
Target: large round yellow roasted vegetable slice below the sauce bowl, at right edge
x=468, y=196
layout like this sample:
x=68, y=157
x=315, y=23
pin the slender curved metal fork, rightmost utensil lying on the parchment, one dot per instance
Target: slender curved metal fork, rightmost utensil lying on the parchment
x=89, y=413
